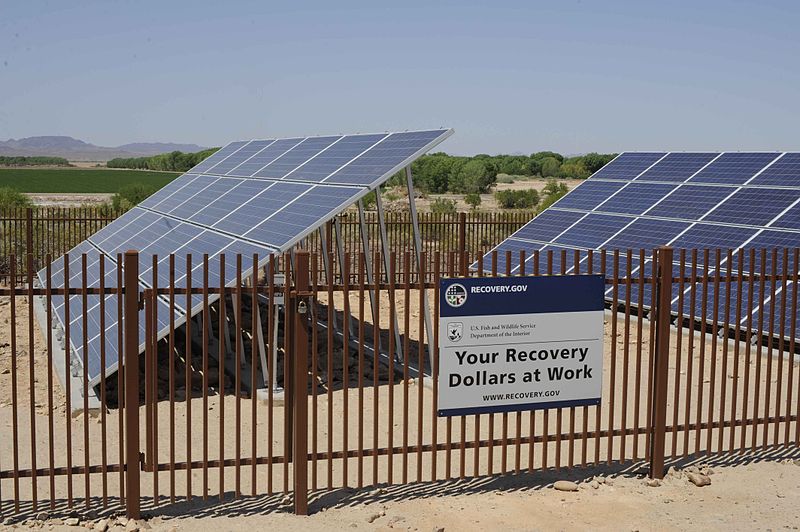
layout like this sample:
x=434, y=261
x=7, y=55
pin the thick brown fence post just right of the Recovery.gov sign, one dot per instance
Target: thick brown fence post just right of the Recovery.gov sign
x=661, y=363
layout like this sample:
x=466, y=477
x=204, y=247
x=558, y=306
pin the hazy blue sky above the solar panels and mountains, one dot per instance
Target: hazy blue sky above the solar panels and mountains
x=572, y=76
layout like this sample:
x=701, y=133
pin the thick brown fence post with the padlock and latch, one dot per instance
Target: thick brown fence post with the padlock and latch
x=300, y=441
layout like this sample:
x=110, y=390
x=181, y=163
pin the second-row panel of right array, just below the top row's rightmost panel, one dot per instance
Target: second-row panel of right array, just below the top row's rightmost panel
x=753, y=206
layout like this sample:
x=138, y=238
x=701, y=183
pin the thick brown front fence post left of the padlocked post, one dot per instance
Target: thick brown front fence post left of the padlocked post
x=131, y=328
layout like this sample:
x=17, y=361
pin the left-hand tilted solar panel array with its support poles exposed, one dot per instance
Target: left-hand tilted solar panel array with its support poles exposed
x=250, y=197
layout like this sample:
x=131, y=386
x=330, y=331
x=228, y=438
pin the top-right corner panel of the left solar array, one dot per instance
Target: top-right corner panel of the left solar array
x=385, y=158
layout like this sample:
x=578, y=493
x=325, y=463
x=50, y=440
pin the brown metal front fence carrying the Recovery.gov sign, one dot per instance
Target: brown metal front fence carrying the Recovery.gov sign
x=347, y=415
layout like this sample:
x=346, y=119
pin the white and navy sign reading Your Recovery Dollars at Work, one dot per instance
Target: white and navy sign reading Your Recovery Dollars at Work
x=520, y=343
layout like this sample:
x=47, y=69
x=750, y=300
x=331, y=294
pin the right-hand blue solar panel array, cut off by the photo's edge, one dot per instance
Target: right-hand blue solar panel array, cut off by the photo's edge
x=685, y=200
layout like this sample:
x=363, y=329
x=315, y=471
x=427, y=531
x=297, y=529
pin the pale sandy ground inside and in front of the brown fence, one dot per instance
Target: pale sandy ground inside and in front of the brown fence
x=756, y=490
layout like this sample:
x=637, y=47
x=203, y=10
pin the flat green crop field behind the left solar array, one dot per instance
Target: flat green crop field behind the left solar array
x=79, y=180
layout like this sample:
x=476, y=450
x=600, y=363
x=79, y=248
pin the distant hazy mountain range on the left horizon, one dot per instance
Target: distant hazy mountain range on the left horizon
x=78, y=150
